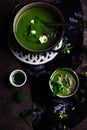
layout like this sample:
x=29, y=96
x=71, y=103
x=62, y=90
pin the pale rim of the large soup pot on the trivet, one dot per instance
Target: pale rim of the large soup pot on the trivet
x=27, y=6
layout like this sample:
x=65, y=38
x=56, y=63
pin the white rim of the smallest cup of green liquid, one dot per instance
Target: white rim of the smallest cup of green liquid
x=14, y=72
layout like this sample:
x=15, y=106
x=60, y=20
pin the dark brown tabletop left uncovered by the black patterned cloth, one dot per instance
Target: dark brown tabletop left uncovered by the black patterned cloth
x=9, y=108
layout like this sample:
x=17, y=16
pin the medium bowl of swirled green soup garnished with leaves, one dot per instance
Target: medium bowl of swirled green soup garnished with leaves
x=64, y=82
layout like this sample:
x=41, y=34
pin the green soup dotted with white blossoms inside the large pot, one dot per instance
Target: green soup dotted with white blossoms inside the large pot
x=31, y=30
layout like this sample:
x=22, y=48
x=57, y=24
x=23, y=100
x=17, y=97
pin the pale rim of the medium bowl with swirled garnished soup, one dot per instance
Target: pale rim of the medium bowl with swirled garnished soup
x=77, y=78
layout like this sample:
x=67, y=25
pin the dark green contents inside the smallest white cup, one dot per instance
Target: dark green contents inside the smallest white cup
x=18, y=78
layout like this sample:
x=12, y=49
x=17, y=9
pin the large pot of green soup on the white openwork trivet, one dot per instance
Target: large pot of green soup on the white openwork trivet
x=31, y=30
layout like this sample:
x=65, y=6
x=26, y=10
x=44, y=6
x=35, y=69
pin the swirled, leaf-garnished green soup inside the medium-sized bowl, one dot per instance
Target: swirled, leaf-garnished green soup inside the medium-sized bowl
x=63, y=82
